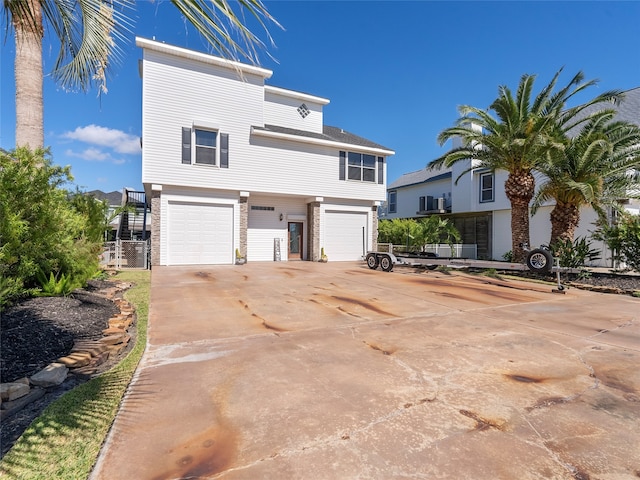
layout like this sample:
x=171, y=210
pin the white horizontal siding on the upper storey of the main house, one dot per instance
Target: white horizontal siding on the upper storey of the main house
x=172, y=99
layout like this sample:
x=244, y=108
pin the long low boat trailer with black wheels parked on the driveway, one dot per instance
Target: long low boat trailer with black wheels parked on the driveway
x=538, y=260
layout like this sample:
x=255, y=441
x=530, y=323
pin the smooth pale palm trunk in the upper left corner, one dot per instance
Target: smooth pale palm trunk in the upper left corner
x=28, y=73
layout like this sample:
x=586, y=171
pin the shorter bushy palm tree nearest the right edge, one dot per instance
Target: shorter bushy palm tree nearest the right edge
x=595, y=168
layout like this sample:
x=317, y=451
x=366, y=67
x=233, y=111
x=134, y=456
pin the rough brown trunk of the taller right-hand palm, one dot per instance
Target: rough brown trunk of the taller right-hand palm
x=519, y=188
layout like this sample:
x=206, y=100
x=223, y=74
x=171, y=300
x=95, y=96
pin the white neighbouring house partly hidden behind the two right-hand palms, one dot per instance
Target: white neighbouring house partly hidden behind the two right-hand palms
x=478, y=206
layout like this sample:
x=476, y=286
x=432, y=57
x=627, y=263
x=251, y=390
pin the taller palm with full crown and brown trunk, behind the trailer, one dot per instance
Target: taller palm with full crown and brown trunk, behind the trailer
x=517, y=141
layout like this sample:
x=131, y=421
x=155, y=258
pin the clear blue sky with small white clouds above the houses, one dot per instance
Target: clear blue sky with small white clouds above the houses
x=395, y=72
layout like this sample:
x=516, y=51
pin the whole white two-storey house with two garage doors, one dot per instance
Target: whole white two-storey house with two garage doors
x=229, y=163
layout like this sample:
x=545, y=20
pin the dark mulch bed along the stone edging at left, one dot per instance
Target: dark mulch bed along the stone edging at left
x=38, y=331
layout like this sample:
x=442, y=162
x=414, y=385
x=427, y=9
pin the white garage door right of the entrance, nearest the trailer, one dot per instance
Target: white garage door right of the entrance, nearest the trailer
x=343, y=237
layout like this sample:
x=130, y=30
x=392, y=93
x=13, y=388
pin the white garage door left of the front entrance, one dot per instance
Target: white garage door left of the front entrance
x=200, y=234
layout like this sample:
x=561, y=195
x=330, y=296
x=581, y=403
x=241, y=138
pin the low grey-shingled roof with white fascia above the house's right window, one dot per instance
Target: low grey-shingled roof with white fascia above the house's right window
x=329, y=135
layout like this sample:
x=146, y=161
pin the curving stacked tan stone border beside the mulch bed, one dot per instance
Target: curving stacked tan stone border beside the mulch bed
x=83, y=360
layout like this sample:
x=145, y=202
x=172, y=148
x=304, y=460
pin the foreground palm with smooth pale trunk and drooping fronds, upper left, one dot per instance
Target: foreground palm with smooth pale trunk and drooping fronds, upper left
x=90, y=33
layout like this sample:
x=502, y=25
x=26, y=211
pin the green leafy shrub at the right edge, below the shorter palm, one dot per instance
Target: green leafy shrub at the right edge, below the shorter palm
x=623, y=238
